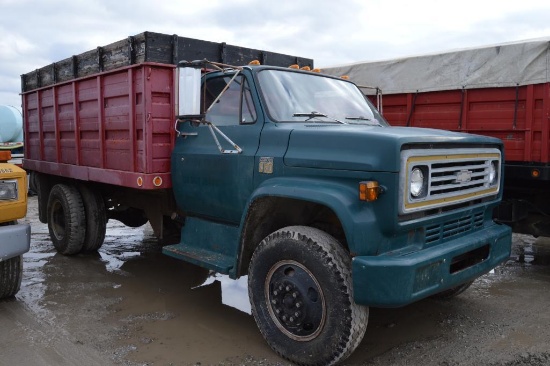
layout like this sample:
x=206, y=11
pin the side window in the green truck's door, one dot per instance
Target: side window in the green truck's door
x=235, y=106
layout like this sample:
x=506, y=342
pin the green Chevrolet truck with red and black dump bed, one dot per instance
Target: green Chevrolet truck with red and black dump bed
x=285, y=175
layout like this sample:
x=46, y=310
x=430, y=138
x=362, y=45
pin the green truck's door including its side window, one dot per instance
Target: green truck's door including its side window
x=208, y=183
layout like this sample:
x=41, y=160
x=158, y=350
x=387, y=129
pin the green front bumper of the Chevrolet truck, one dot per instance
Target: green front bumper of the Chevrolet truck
x=394, y=281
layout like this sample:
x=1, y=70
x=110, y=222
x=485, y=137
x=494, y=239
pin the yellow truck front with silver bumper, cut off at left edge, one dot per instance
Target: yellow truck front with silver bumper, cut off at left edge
x=14, y=238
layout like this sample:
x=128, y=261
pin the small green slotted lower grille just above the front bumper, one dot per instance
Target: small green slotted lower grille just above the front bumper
x=453, y=228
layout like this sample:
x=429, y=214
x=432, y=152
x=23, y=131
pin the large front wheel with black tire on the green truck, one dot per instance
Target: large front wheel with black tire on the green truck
x=300, y=290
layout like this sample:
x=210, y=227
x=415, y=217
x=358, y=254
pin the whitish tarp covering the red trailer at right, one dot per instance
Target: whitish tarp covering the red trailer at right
x=510, y=64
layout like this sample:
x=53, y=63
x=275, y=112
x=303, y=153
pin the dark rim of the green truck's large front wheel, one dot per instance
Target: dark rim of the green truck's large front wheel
x=295, y=300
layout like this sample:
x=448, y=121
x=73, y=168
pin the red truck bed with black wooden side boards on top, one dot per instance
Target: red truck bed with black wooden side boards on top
x=108, y=115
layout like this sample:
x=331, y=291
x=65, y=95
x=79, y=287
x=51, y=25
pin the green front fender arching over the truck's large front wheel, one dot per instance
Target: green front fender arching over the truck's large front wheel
x=341, y=196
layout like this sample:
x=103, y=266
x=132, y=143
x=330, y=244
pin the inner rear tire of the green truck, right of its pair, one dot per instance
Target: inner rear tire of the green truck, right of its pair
x=96, y=219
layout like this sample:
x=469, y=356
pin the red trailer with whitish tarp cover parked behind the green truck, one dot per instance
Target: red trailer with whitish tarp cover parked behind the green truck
x=501, y=91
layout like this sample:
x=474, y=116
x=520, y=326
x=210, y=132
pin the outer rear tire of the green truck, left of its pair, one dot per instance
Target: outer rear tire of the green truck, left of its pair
x=66, y=219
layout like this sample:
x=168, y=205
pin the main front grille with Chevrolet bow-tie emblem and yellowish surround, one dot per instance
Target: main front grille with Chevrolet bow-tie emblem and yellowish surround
x=451, y=177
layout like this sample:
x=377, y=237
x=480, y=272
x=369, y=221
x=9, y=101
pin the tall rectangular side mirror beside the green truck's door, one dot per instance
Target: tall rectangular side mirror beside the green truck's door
x=188, y=76
